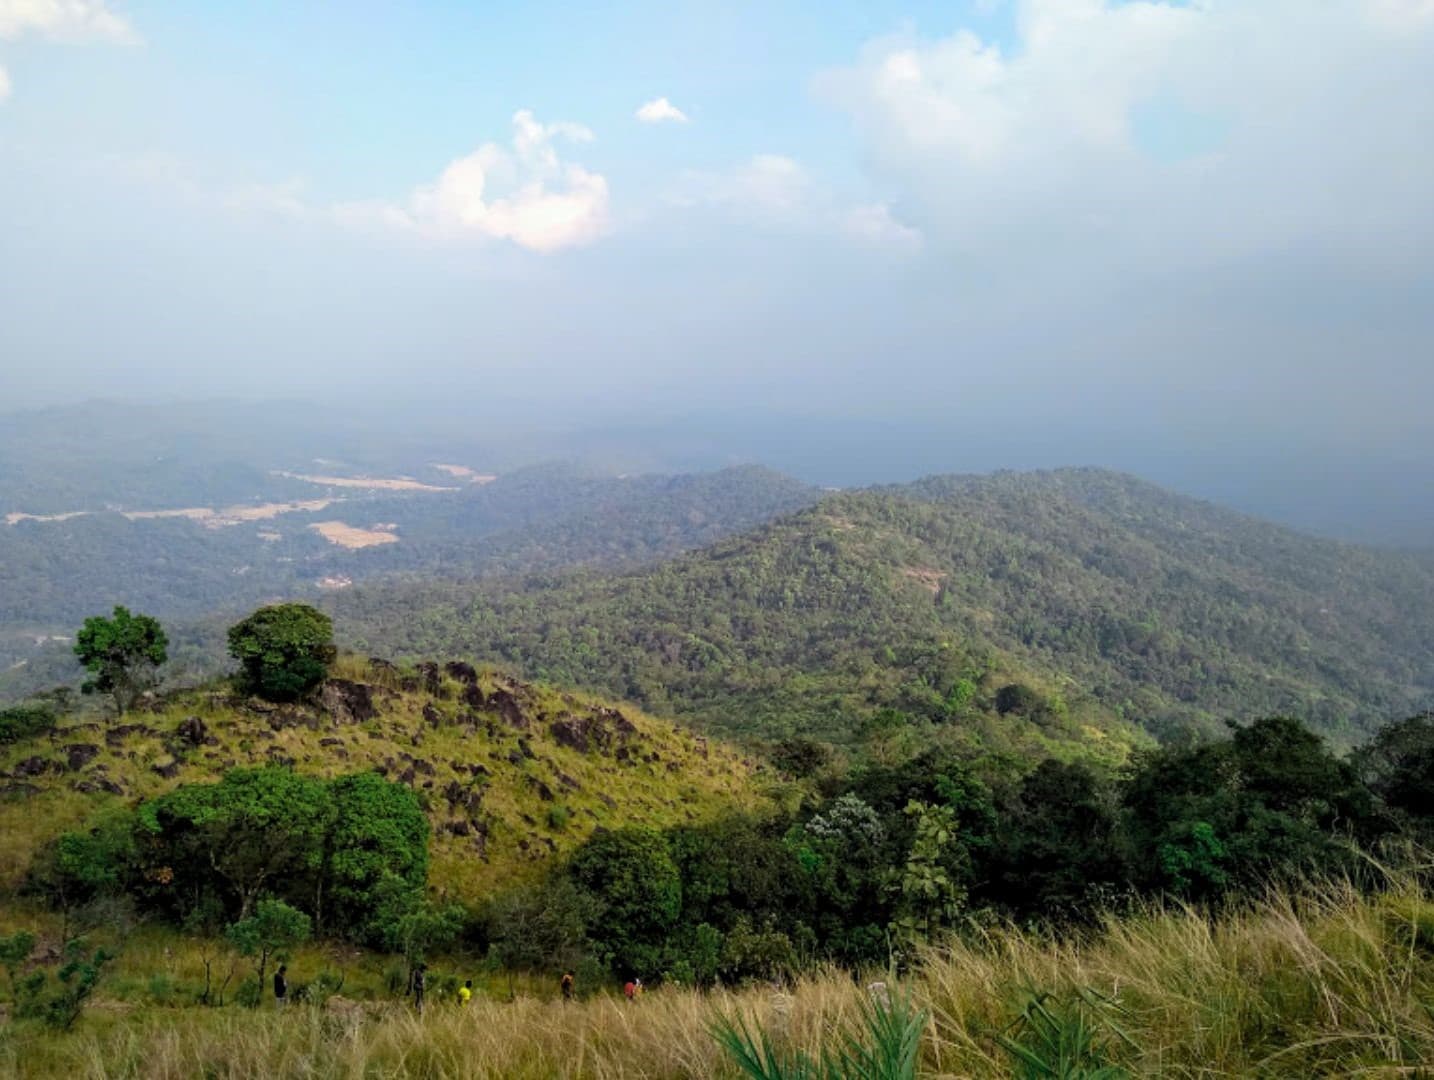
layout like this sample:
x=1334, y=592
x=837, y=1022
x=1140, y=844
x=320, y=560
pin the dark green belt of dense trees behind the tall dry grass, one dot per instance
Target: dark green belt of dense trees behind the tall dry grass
x=884, y=860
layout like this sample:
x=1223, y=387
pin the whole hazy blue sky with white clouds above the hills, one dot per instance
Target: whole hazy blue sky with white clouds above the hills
x=977, y=235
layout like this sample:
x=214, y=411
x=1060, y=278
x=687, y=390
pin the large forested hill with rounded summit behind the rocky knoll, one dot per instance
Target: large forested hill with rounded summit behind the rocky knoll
x=1103, y=595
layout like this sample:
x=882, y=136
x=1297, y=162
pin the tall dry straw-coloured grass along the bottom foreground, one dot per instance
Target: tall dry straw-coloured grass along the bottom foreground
x=1326, y=983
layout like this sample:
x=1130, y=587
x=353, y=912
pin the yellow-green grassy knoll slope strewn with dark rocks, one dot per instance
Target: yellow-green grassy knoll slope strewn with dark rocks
x=513, y=775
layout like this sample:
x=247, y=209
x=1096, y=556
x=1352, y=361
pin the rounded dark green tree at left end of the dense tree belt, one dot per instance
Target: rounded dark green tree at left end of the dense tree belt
x=637, y=893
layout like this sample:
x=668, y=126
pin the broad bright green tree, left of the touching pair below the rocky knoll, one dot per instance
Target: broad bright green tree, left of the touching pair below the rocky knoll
x=257, y=831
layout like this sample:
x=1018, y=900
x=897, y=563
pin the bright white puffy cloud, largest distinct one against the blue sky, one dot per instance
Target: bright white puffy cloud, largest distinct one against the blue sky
x=523, y=193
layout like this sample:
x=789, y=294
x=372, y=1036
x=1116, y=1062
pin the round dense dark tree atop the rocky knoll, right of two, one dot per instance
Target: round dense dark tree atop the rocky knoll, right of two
x=285, y=650
